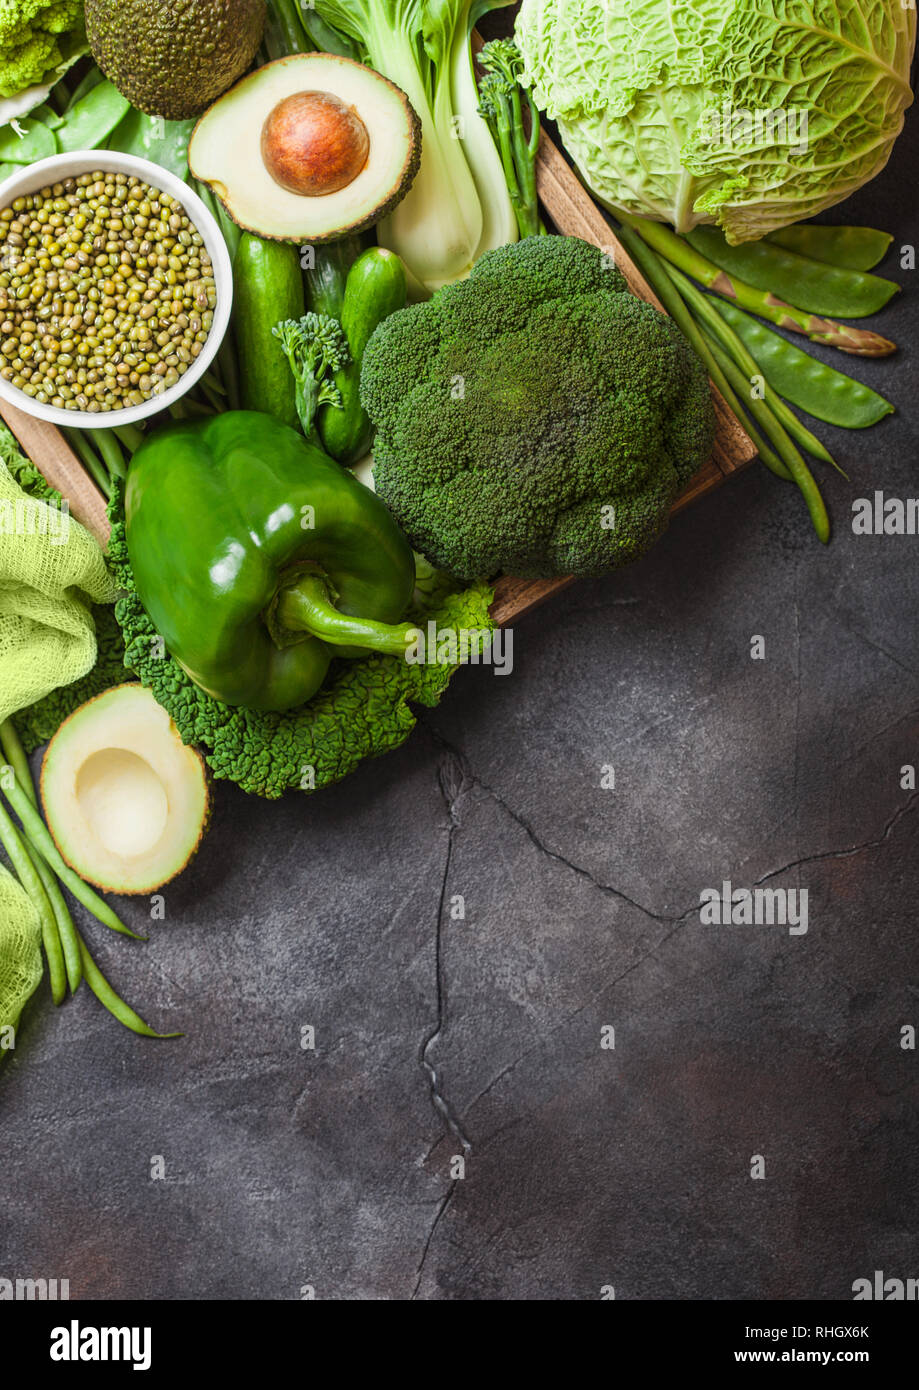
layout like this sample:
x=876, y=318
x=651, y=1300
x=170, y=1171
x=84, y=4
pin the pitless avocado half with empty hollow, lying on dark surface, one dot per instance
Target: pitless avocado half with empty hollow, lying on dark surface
x=124, y=799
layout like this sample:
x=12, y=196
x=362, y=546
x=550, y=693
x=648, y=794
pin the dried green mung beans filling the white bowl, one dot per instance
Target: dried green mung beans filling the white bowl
x=108, y=293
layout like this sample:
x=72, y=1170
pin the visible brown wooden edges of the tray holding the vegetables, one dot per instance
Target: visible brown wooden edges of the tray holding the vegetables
x=574, y=213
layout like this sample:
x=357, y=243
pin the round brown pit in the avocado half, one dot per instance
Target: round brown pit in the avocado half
x=314, y=144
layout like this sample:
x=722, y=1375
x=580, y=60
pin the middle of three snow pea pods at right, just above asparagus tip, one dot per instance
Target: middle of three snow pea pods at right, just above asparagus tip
x=797, y=280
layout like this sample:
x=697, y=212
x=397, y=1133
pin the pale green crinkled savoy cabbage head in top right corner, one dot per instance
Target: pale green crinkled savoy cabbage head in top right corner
x=751, y=115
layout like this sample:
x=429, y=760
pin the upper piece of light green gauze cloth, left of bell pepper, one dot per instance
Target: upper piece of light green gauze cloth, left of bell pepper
x=51, y=569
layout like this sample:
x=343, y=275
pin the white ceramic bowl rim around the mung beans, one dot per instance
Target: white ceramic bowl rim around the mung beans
x=84, y=162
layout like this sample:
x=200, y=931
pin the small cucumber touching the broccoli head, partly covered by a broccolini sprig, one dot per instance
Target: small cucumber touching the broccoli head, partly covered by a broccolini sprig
x=375, y=290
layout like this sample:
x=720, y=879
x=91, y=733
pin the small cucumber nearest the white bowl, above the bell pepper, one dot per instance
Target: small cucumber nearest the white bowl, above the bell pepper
x=268, y=288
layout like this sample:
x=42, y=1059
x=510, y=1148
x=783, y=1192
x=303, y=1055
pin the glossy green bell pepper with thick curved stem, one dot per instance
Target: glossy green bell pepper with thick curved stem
x=259, y=559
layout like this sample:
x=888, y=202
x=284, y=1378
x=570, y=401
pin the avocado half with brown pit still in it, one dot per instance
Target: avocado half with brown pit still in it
x=309, y=148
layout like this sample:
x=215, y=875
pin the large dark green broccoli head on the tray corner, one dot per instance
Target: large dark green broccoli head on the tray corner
x=535, y=419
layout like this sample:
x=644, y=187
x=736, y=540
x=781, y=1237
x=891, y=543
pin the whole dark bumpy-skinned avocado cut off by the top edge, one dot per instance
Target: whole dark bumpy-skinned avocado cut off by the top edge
x=174, y=59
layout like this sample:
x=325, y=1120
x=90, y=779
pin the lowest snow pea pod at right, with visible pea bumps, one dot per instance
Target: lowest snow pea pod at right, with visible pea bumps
x=810, y=384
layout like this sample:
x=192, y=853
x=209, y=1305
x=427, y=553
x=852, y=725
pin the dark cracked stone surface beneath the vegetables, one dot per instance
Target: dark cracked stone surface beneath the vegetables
x=439, y=1038
